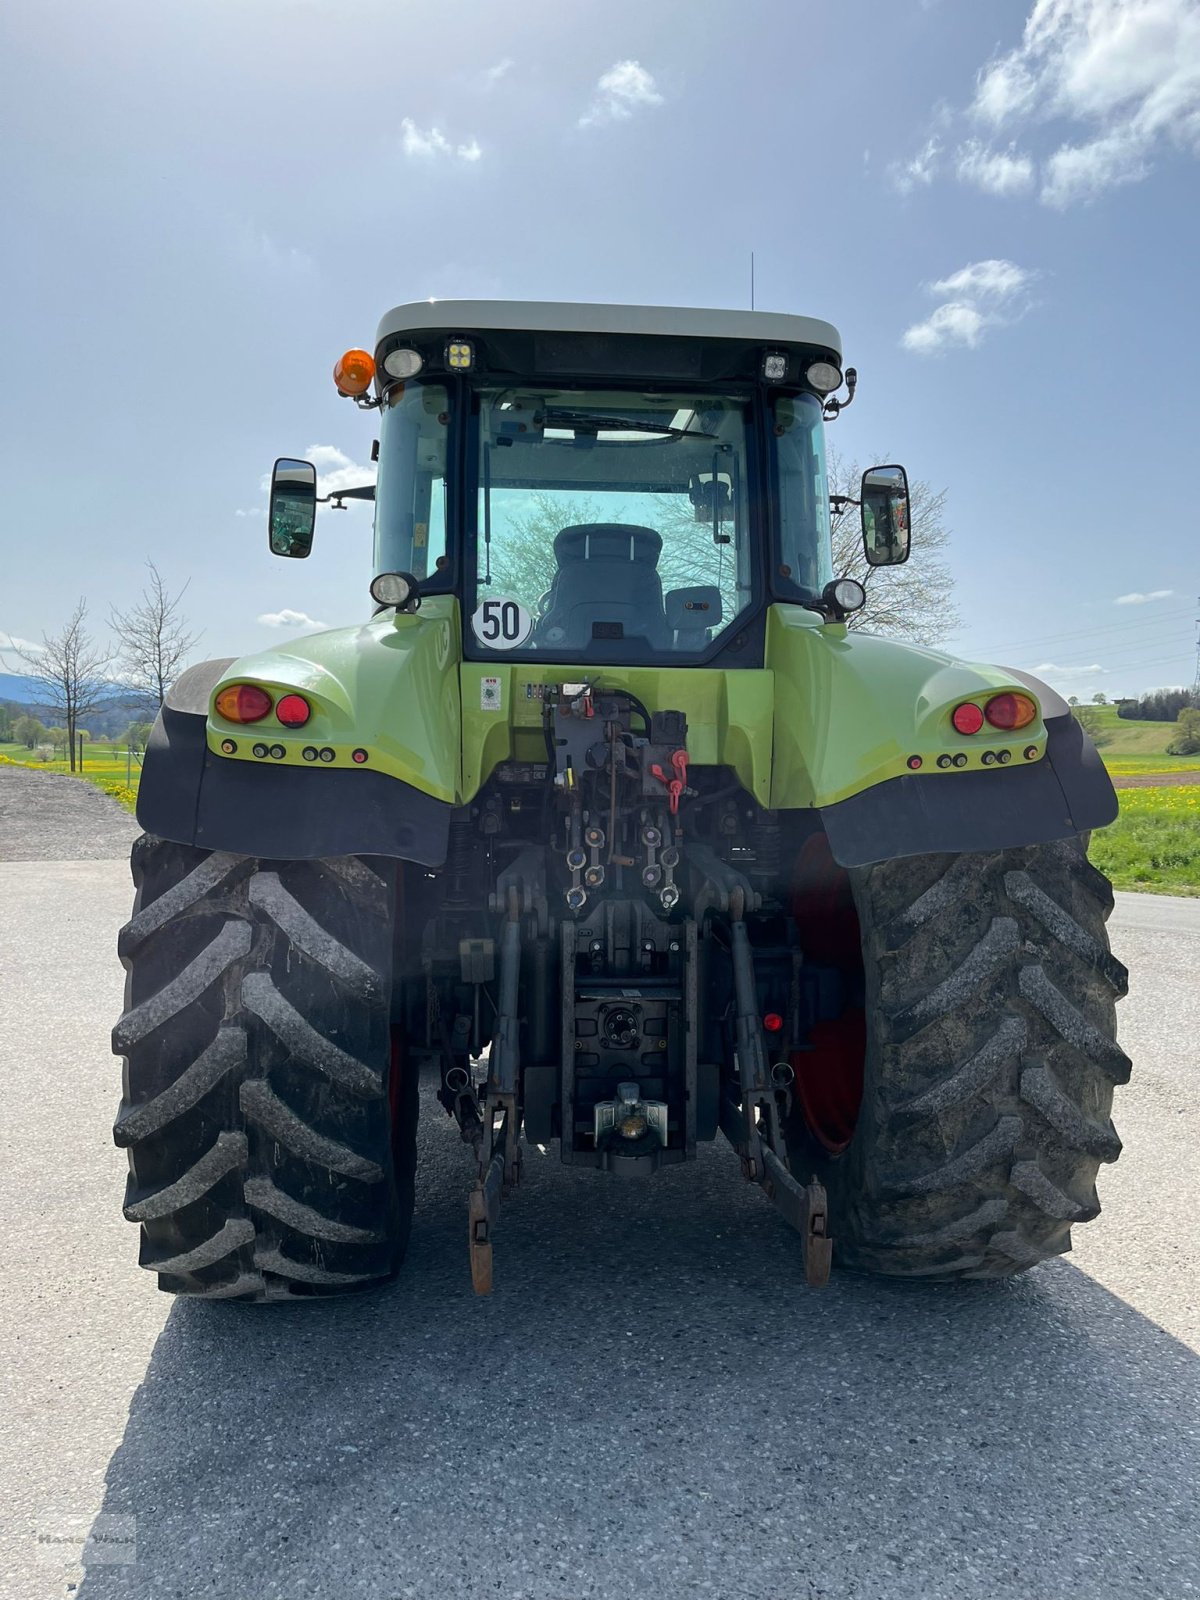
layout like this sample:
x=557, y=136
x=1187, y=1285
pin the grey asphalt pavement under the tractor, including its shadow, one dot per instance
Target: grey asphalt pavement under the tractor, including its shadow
x=650, y=1402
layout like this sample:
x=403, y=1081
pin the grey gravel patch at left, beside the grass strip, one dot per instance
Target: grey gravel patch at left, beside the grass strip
x=50, y=817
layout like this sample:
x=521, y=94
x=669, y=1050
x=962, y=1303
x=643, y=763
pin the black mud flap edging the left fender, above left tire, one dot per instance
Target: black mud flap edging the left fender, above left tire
x=194, y=798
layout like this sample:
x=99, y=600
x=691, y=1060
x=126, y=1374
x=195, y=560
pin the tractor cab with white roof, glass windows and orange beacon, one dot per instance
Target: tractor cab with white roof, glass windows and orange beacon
x=599, y=484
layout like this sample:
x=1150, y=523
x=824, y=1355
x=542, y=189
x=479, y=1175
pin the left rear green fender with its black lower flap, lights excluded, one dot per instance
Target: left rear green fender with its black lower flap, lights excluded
x=388, y=689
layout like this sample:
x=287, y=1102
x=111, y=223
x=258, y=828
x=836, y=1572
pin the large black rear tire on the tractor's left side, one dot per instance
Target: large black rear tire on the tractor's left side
x=271, y=1151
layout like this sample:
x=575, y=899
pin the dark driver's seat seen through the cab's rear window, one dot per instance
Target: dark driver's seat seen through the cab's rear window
x=607, y=575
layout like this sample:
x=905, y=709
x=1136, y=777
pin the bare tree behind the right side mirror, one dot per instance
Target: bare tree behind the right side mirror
x=913, y=601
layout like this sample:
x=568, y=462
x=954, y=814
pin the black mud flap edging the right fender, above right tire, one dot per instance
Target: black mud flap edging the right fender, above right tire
x=1065, y=794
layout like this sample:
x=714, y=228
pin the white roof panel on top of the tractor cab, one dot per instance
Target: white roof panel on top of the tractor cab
x=762, y=327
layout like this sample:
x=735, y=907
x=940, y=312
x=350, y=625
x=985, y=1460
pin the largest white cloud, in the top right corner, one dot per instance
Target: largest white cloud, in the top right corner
x=1126, y=71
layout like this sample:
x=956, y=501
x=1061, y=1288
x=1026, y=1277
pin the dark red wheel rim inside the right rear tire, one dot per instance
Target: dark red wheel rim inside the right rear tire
x=830, y=1074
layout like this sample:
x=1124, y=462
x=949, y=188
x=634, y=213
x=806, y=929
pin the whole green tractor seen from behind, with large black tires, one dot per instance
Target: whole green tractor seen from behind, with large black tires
x=610, y=826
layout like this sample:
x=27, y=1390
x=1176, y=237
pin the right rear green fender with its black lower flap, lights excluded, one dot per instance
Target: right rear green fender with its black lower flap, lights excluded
x=855, y=711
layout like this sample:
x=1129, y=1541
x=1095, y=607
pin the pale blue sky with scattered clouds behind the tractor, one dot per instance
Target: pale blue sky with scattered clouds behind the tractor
x=996, y=201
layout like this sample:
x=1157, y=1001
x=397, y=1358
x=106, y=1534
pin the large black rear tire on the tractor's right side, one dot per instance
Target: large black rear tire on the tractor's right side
x=990, y=1066
